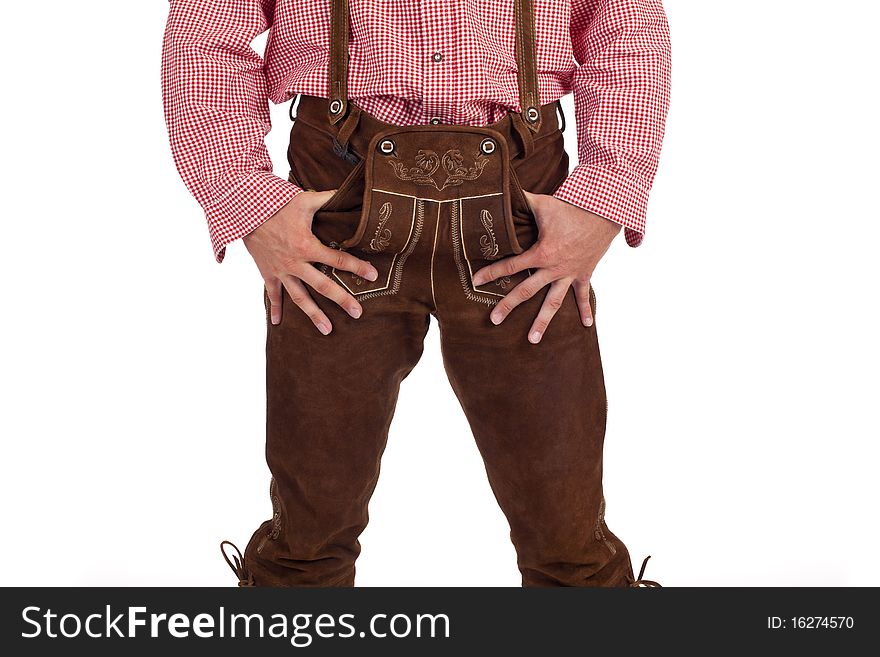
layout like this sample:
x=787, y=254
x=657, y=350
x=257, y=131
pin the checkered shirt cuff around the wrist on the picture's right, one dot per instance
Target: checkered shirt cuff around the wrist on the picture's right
x=609, y=195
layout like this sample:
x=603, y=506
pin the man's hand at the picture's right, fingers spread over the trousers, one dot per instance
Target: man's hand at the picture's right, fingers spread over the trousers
x=571, y=241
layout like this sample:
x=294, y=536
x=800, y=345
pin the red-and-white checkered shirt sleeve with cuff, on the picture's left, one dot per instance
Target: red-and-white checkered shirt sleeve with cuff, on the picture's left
x=216, y=106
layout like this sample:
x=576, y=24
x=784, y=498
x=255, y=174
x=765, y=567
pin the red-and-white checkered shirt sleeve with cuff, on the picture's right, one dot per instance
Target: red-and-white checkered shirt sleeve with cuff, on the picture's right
x=621, y=96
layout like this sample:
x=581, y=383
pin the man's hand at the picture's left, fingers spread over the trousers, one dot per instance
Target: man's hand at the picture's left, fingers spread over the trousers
x=284, y=249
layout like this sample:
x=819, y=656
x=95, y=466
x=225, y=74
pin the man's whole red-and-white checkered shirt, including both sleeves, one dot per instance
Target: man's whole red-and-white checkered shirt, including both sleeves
x=612, y=54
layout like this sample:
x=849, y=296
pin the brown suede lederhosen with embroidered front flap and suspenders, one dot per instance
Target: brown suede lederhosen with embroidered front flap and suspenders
x=428, y=206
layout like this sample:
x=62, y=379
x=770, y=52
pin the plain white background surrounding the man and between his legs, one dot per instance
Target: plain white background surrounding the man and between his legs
x=739, y=340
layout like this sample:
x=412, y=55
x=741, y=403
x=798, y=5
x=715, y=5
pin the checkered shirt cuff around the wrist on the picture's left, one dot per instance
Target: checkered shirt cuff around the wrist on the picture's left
x=250, y=203
